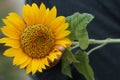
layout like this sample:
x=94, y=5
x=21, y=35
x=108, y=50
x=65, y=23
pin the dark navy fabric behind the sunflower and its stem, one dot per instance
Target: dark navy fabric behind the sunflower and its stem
x=106, y=24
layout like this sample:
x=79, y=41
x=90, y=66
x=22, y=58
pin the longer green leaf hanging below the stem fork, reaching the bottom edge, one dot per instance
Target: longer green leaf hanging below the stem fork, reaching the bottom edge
x=83, y=66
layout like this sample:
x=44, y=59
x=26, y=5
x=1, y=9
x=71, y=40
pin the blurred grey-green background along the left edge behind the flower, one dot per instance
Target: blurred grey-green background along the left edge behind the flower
x=7, y=70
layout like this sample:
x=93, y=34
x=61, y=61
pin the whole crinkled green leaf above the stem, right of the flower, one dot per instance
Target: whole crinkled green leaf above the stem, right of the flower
x=78, y=23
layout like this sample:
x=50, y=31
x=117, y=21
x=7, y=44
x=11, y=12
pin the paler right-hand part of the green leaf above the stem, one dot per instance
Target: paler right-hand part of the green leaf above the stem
x=81, y=31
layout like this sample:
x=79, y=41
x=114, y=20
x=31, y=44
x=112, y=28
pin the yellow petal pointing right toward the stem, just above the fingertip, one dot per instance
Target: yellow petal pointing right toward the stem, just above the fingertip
x=65, y=42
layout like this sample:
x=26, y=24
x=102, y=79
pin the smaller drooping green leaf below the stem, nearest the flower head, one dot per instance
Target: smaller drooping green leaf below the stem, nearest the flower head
x=67, y=59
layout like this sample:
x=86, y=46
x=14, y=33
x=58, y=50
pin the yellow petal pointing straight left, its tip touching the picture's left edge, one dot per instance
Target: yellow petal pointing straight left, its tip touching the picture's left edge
x=10, y=42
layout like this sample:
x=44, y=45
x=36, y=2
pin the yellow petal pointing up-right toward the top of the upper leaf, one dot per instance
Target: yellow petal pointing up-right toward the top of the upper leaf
x=57, y=22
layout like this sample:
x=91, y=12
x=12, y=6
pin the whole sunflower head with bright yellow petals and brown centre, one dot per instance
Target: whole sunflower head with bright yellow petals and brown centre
x=34, y=39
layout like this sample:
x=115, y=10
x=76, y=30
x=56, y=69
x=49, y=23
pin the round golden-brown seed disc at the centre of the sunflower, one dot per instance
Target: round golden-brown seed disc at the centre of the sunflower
x=37, y=41
